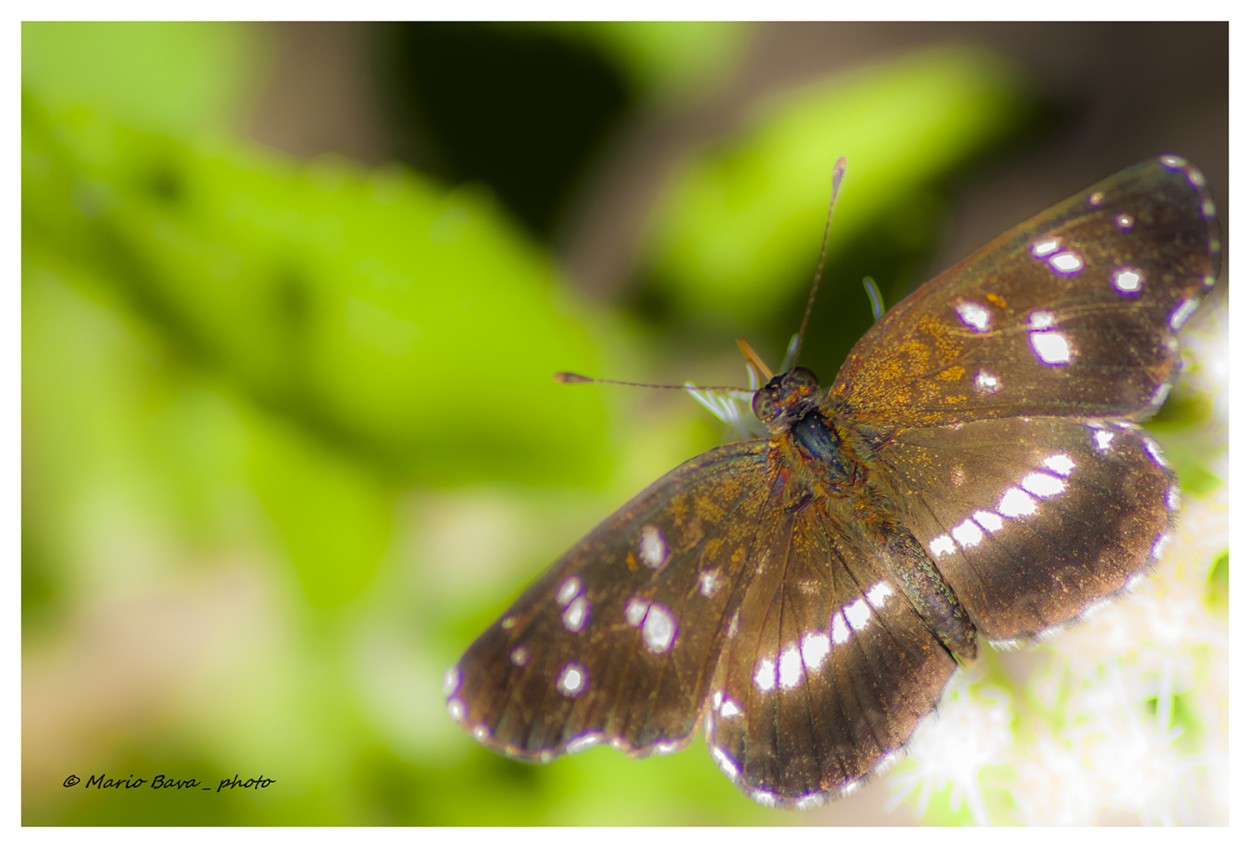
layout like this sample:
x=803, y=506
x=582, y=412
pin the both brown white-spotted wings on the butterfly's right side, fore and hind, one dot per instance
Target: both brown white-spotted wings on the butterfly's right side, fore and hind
x=1003, y=416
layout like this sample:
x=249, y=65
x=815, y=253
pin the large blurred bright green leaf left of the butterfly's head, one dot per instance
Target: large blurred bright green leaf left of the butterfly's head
x=356, y=303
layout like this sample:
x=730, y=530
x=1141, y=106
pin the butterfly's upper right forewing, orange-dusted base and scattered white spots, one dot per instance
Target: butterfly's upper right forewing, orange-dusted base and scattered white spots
x=1072, y=313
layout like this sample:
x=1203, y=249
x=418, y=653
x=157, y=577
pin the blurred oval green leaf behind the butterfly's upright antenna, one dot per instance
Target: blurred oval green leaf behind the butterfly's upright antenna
x=747, y=216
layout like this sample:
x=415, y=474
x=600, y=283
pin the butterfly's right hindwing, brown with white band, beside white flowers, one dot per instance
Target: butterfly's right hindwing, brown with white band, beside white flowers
x=1031, y=520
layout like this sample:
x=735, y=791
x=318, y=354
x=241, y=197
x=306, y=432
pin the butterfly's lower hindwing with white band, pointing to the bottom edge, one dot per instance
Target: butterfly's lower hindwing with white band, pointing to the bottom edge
x=828, y=669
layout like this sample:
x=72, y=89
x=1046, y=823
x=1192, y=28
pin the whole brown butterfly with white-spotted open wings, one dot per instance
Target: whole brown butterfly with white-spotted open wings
x=976, y=470
